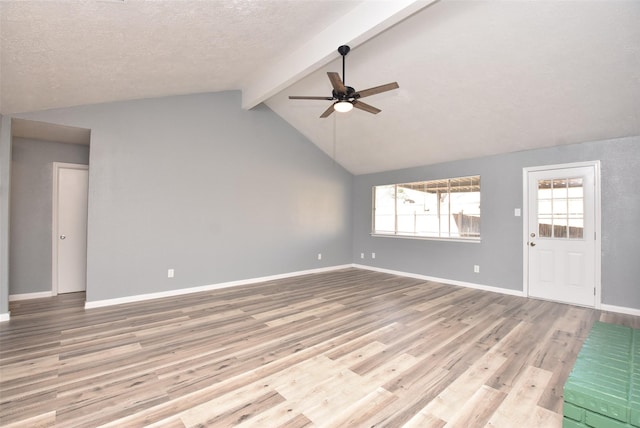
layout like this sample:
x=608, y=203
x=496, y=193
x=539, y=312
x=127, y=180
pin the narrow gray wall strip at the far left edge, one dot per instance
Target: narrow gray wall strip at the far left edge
x=5, y=175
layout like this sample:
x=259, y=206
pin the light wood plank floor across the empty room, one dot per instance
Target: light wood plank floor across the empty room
x=337, y=349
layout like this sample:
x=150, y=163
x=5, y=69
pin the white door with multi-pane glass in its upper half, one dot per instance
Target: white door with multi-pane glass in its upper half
x=561, y=238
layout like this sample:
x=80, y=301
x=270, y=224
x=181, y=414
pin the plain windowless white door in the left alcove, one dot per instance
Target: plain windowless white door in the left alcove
x=70, y=228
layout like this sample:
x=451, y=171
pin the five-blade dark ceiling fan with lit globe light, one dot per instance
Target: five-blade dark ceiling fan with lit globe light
x=345, y=97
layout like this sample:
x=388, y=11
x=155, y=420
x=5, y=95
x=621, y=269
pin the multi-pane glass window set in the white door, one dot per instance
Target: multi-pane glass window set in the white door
x=561, y=208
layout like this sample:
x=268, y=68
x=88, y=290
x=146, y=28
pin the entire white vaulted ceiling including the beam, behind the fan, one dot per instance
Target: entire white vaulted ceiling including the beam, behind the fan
x=476, y=77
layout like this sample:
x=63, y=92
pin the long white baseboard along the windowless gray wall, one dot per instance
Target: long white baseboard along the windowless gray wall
x=179, y=292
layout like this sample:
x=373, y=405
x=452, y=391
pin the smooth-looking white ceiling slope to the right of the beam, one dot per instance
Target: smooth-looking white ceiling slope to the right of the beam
x=481, y=78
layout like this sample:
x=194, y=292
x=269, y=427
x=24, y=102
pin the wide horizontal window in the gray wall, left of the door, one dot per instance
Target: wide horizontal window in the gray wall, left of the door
x=447, y=208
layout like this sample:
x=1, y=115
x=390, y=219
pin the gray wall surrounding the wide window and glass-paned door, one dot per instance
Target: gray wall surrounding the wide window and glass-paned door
x=501, y=250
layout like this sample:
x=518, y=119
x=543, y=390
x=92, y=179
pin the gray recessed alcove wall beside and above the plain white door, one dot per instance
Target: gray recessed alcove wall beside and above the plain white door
x=31, y=201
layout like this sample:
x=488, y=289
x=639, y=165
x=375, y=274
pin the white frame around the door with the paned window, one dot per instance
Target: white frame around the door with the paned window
x=597, y=225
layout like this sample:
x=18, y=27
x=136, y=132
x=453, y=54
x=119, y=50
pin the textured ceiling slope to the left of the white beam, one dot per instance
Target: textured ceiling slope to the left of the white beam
x=73, y=52
